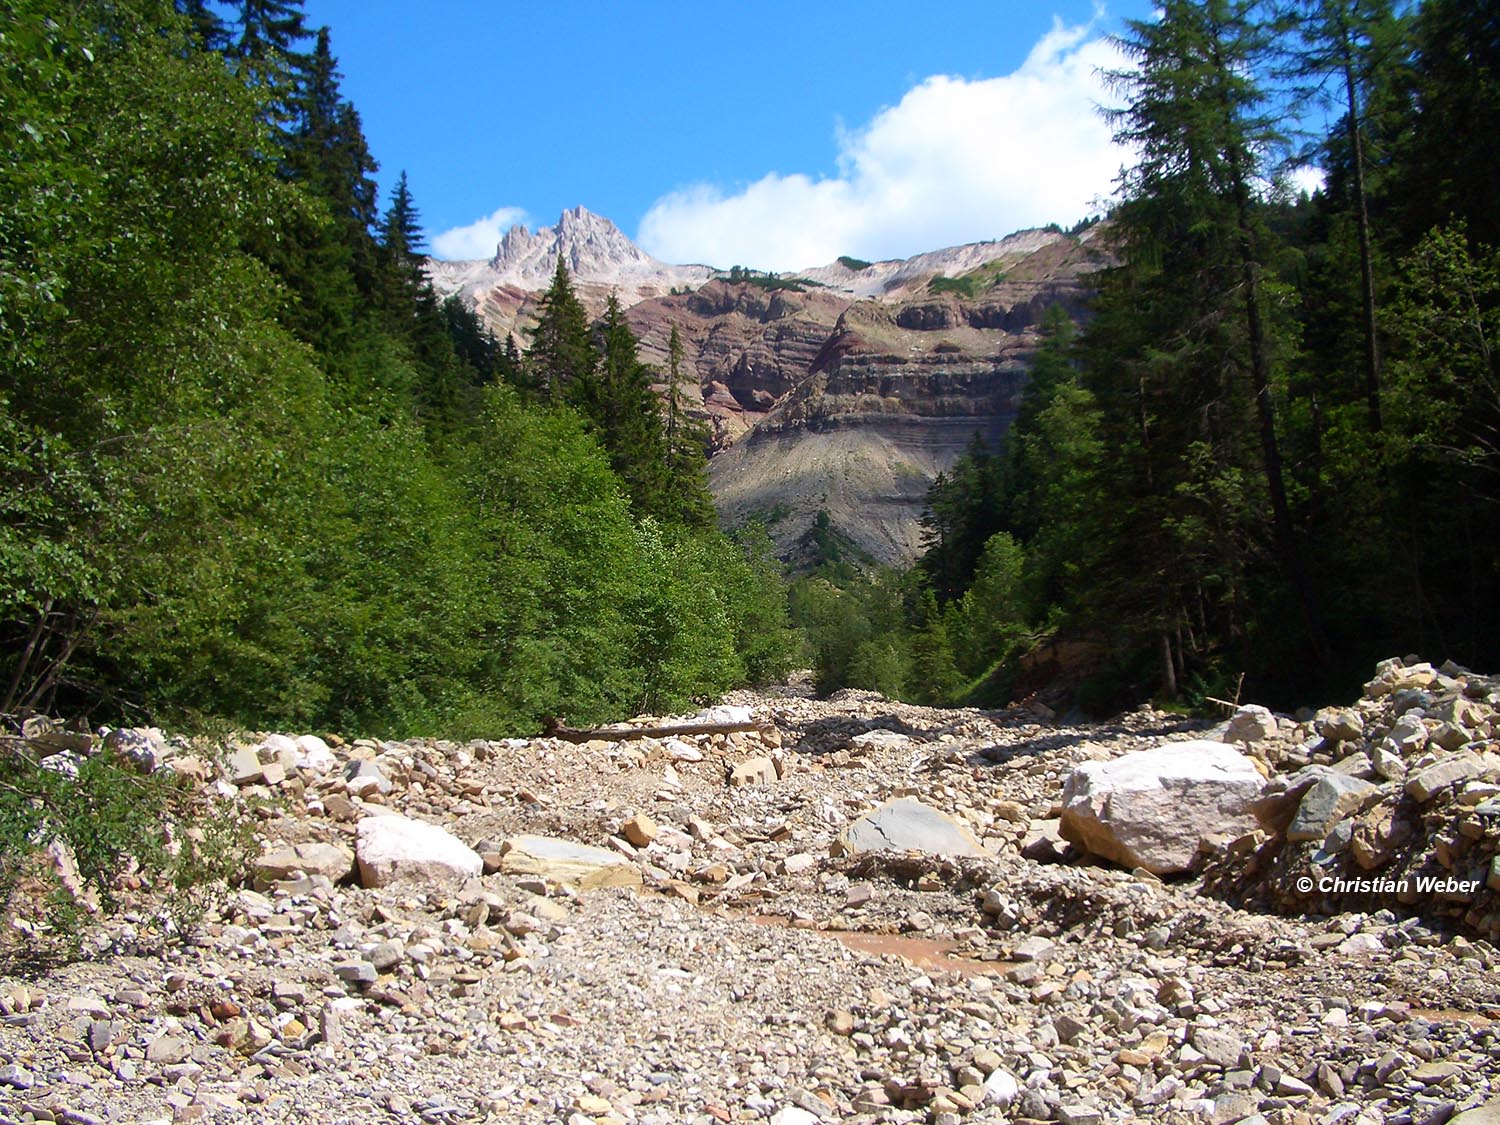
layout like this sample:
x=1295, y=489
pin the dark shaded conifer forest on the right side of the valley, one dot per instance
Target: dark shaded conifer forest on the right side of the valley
x=1273, y=451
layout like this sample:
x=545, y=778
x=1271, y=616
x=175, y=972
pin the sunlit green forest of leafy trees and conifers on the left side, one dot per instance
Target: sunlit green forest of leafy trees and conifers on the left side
x=253, y=469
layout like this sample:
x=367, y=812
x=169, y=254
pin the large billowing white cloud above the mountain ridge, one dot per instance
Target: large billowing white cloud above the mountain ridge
x=955, y=161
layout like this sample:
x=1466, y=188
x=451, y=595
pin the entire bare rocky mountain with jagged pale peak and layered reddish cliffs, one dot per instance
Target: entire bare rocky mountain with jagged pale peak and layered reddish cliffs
x=842, y=389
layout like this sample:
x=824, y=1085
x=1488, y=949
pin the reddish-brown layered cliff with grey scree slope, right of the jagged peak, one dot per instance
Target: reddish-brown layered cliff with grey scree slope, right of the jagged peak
x=895, y=394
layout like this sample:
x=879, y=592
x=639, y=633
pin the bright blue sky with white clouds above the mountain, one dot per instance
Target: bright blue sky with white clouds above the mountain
x=773, y=134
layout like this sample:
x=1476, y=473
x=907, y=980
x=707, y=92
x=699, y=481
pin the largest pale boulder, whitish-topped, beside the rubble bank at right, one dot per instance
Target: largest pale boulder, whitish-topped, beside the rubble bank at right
x=1151, y=809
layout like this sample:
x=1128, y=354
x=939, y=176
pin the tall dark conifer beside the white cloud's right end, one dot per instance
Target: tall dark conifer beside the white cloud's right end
x=1199, y=119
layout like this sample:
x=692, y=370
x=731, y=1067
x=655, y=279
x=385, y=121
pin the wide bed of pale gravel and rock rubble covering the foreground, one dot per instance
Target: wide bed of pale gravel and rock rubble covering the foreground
x=863, y=913
